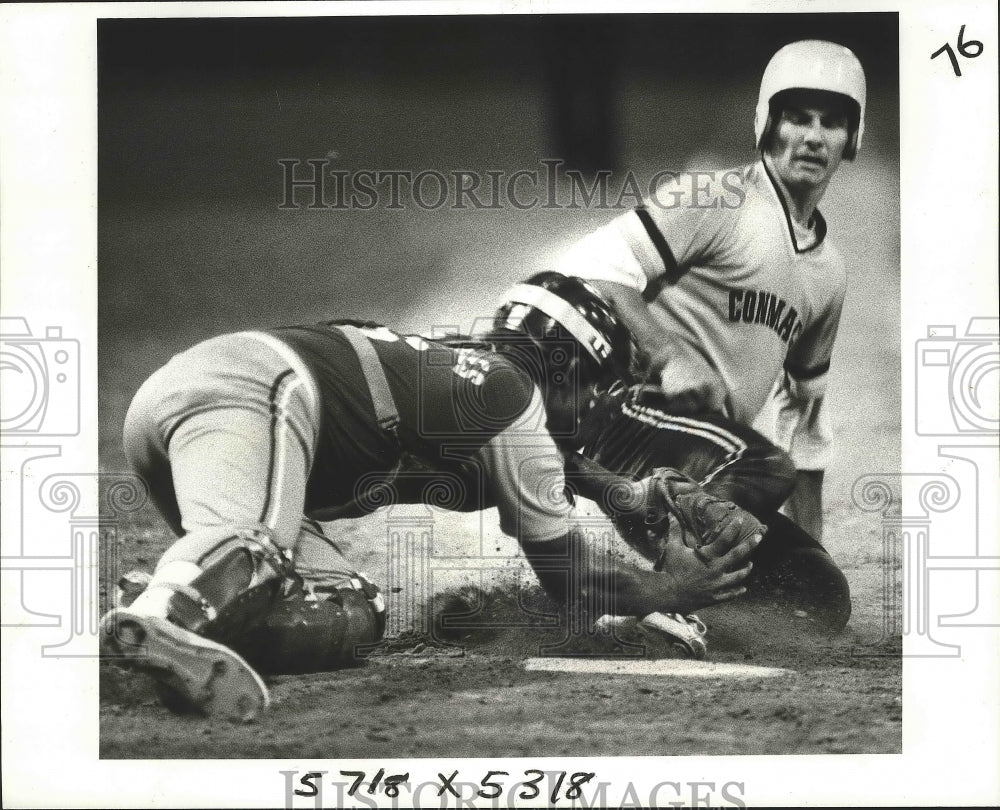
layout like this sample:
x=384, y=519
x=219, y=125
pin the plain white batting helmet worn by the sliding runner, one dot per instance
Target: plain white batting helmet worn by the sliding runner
x=813, y=64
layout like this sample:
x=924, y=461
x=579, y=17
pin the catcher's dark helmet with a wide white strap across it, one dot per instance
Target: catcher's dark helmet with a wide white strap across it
x=547, y=310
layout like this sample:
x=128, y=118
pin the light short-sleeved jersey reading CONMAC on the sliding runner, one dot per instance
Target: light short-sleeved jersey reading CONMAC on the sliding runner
x=725, y=269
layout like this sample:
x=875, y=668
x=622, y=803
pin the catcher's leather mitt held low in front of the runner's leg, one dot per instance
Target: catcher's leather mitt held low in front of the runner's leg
x=708, y=525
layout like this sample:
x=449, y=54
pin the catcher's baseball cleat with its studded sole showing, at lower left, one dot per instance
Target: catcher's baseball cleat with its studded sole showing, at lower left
x=195, y=673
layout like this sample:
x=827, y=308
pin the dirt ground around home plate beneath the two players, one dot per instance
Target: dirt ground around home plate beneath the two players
x=843, y=696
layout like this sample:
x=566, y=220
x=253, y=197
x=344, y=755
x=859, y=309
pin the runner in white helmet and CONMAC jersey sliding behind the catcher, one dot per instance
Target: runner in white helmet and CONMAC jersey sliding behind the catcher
x=736, y=298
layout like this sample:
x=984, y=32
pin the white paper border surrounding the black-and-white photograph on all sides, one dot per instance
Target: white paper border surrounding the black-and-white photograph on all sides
x=49, y=268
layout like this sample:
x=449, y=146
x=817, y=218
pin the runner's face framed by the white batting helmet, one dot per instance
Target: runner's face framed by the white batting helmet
x=809, y=141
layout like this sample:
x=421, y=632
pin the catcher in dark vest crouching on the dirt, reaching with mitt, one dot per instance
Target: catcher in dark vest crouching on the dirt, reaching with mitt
x=241, y=435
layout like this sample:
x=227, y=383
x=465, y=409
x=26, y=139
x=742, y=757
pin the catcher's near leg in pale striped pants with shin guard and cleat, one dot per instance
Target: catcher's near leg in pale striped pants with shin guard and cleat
x=231, y=425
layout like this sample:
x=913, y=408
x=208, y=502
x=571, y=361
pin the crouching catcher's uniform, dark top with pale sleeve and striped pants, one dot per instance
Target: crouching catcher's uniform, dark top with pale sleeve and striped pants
x=259, y=427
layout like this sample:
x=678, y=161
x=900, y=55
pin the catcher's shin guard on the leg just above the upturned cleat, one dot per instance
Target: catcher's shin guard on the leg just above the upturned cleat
x=243, y=573
